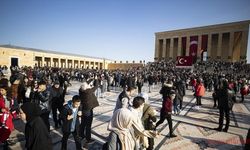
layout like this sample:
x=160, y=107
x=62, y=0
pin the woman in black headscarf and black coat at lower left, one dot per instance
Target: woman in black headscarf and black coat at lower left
x=36, y=133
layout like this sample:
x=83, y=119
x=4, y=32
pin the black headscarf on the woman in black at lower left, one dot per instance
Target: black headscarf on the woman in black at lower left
x=31, y=110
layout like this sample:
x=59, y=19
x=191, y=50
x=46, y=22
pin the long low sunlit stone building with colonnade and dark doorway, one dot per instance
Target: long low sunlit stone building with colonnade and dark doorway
x=20, y=56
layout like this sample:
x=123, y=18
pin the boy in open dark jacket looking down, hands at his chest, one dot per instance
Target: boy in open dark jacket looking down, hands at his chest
x=70, y=116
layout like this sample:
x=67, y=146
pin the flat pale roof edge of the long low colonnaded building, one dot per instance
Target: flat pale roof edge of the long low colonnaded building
x=47, y=51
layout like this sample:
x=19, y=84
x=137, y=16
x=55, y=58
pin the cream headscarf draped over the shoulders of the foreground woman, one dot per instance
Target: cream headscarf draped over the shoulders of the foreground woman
x=121, y=123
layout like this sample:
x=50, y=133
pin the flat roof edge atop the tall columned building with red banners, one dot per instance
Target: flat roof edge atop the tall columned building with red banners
x=208, y=26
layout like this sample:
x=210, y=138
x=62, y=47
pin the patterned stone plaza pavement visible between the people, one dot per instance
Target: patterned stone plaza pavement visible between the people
x=193, y=127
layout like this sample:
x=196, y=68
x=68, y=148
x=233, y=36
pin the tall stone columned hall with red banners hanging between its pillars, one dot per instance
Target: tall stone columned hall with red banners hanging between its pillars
x=226, y=42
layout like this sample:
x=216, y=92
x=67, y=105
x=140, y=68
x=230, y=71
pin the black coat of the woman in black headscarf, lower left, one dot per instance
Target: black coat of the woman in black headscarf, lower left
x=37, y=135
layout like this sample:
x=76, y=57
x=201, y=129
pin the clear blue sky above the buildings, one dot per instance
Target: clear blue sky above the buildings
x=113, y=29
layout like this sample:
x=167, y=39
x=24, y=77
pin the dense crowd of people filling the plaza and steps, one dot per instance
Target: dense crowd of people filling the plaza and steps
x=33, y=93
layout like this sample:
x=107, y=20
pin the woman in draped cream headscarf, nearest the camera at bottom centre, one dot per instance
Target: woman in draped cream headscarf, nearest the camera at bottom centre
x=124, y=130
